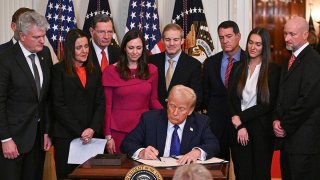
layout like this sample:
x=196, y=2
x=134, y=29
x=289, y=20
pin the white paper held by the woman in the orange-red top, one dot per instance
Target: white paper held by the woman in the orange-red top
x=79, y=153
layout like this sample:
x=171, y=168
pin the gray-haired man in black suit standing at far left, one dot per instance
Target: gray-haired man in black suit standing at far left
x=24, y=115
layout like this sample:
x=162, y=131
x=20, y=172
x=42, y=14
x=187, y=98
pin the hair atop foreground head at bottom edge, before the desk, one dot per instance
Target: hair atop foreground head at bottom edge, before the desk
x=192, y=172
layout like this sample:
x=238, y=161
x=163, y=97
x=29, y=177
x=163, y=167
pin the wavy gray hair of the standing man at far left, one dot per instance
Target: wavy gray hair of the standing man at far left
x=29, y=19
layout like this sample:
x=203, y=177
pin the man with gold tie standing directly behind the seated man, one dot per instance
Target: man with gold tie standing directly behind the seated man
x=186, y=70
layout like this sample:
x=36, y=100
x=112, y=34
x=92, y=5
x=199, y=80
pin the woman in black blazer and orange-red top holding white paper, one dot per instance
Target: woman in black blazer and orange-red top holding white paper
x=78, y=100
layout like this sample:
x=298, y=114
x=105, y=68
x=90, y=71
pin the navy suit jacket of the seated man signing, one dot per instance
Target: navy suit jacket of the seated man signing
x=152, y=131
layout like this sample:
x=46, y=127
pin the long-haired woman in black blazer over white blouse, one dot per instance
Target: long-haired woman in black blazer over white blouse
x=253, y=91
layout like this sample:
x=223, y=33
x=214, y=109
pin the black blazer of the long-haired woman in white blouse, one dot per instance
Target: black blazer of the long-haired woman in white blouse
x=261, y=114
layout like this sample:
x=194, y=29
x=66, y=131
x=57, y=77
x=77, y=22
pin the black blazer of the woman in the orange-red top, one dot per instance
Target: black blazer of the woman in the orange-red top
x=75, y=107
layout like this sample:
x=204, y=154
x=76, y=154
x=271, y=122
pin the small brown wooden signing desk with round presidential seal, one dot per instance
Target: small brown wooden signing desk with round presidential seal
x=88, y=171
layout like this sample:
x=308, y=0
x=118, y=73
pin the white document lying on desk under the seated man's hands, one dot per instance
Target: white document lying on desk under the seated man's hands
x=169, y=162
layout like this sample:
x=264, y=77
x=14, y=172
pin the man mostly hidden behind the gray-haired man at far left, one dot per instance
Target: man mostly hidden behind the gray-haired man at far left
x=14, y=21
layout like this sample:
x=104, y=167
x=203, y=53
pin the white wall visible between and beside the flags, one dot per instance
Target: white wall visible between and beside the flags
x=216, y=12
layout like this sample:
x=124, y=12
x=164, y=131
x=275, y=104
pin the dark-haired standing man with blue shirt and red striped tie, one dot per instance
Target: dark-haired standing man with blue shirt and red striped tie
x=215, y=70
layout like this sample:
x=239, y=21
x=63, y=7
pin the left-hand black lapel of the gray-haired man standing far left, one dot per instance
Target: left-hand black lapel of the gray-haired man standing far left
x=22, y=62
